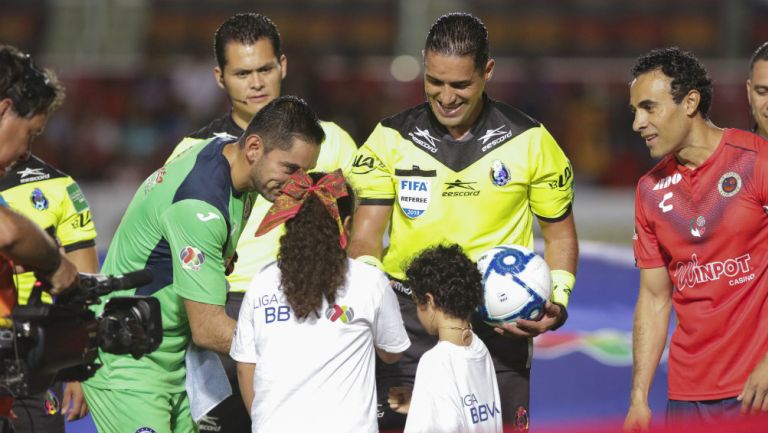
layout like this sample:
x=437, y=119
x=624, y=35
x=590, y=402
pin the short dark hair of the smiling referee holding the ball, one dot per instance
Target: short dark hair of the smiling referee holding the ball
x=459, y=34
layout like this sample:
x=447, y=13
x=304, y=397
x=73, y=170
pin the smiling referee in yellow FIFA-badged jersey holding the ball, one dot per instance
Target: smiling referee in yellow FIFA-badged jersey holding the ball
x=464, y=168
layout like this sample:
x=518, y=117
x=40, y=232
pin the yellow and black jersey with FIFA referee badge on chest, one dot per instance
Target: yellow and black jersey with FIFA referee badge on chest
x=478, y=192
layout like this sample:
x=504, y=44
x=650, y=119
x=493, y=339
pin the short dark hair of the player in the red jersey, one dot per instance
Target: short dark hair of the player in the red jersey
x=685, y=70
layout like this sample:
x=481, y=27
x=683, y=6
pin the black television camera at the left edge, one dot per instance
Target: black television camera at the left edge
x=60, y=341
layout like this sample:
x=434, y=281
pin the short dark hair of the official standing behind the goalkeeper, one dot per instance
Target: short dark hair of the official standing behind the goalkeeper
x=247, y=29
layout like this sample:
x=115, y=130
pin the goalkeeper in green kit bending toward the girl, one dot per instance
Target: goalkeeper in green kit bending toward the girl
x=183, y=223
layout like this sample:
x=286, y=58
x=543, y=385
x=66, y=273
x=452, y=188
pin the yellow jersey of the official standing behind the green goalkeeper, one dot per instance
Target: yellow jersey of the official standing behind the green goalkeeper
x=254, y=253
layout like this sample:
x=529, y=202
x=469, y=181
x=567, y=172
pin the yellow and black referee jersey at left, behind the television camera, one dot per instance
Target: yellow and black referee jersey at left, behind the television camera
x=54, y=201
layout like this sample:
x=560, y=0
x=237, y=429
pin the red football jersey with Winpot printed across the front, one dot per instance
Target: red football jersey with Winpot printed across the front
x=708, y=226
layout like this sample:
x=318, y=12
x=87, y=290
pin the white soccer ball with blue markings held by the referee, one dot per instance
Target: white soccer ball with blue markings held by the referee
x=516, y=284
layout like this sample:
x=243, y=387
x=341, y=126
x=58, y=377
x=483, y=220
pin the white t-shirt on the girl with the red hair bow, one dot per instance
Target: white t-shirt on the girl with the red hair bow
x=317, y=375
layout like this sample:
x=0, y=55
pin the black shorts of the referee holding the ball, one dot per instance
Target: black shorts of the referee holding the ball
x=511, y=359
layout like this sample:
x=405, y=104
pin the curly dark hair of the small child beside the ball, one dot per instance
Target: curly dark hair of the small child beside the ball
x=450, y=276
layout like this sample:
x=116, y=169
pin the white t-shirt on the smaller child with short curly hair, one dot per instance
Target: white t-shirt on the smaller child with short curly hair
x=455, y=390
